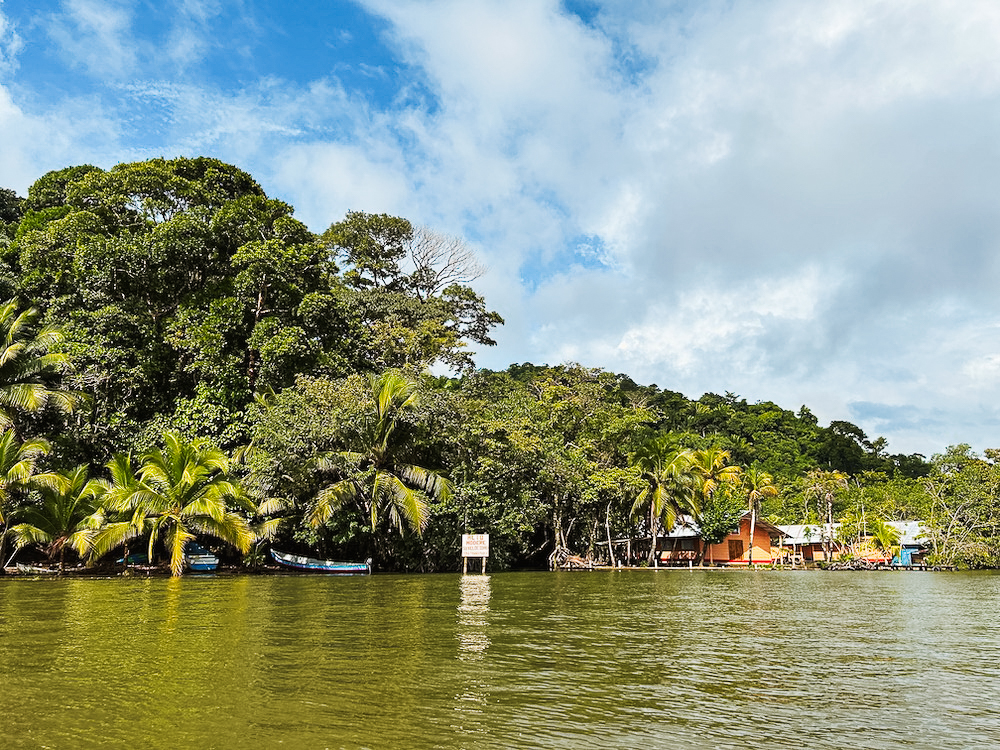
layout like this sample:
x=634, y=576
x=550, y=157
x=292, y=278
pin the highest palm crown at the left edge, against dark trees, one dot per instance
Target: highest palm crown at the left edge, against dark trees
x=29, y=370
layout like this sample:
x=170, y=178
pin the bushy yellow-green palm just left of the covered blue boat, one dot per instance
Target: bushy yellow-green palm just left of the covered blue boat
x=181, y=491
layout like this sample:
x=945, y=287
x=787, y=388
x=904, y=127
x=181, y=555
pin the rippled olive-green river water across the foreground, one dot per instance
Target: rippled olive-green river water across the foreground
x=624, y=659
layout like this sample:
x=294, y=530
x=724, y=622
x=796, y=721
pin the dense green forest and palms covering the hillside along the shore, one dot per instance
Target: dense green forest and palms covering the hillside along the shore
x=182, y=360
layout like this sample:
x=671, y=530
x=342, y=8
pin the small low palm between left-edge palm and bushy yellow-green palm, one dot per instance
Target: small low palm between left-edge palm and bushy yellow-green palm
x=66, y=517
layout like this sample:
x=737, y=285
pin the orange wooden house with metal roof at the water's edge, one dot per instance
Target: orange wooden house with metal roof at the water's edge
x=683, y=545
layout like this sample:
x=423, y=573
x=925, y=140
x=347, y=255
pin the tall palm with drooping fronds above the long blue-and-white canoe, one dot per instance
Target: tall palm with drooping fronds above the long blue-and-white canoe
x=372, y=476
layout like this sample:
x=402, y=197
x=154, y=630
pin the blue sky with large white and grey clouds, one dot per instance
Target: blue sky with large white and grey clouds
x=791, y=202
